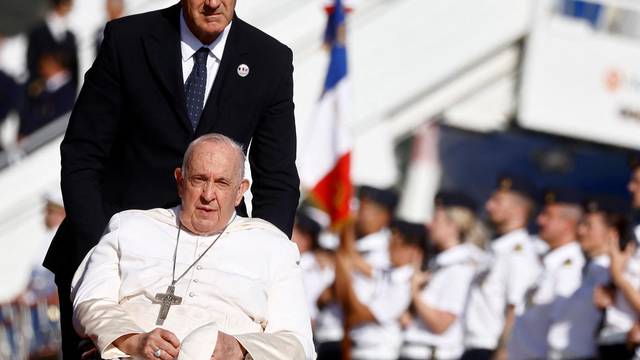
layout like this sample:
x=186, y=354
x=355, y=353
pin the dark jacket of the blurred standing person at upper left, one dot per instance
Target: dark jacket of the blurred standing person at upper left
x=41, y=41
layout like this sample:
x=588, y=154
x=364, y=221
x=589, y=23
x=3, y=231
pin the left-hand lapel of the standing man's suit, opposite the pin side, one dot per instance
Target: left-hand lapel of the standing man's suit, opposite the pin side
x=165, y=59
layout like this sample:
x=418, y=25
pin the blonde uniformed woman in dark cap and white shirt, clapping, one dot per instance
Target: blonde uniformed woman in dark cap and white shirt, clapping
x=439, y=295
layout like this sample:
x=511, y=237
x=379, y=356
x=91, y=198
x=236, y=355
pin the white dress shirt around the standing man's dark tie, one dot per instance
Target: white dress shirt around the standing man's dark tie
x=189, y=44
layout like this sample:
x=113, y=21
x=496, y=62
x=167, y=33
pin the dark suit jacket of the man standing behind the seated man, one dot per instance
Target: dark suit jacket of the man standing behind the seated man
x=129, y=128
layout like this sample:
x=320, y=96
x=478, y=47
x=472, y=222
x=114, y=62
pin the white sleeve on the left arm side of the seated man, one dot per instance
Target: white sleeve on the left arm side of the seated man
x=94, y=292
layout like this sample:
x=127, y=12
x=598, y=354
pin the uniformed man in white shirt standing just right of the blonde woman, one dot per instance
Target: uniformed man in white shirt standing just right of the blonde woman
x=511, y=268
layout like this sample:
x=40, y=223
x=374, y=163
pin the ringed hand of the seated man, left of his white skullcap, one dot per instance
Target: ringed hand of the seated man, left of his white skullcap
x=146, y=344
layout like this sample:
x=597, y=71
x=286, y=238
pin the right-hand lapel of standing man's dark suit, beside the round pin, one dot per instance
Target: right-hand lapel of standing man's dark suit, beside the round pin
x=235, y=49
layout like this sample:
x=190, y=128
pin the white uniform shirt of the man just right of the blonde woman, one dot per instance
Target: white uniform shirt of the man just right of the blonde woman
x=512, y=268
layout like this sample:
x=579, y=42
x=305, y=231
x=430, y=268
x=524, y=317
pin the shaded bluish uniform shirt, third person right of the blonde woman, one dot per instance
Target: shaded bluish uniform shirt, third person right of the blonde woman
x=574, y=329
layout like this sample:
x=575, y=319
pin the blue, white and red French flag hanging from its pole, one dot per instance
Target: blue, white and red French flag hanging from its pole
x=326, y=158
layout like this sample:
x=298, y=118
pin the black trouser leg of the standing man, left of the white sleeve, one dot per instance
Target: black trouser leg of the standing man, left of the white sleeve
x=70, y=339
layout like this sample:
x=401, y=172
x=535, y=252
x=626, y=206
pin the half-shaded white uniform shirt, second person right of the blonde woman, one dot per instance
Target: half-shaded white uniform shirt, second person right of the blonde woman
x=561, y=276
